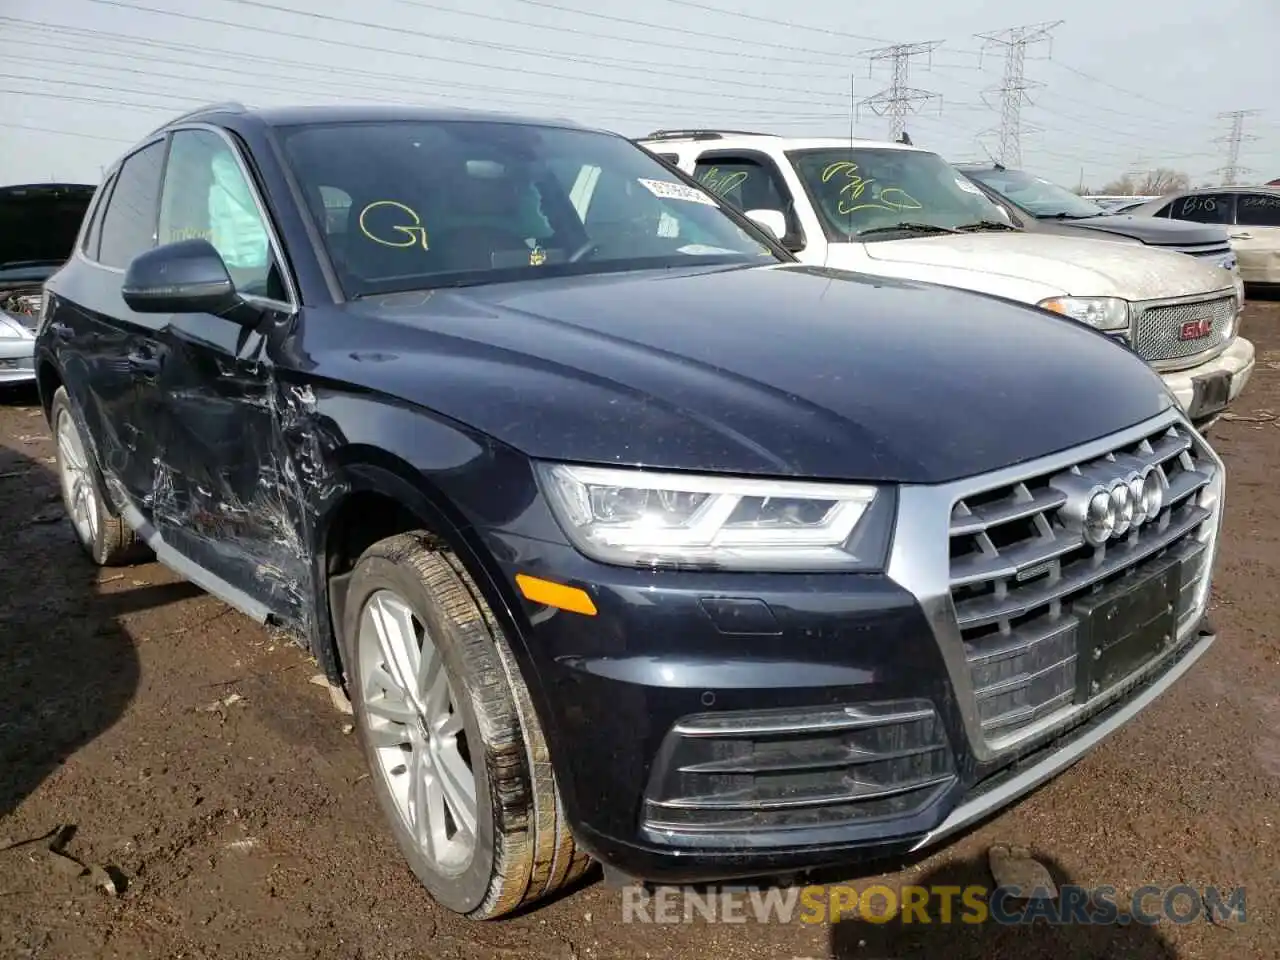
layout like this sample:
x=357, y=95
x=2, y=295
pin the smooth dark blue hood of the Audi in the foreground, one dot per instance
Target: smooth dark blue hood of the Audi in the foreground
x=783, y=371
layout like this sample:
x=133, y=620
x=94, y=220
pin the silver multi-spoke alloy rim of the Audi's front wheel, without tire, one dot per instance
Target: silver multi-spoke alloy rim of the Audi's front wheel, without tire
x=417, y=734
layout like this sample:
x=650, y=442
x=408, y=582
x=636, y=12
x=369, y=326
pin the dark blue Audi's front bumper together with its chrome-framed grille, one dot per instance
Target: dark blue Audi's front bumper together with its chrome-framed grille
x=715, y=726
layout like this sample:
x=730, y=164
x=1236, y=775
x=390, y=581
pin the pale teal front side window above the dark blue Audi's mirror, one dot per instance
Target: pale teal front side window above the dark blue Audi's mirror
x=207, y=196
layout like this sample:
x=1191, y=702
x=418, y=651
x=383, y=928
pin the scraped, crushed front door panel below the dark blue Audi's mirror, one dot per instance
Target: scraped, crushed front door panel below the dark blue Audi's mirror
x=239, y=465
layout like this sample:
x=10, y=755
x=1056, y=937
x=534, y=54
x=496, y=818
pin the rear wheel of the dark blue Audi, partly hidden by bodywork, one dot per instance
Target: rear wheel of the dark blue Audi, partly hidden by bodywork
x=100, y=531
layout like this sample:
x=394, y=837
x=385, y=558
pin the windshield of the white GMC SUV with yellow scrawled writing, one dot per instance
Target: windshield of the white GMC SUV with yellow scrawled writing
x=872, y=190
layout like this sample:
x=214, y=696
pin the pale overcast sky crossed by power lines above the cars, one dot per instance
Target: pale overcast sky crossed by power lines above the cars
x=1114, y=88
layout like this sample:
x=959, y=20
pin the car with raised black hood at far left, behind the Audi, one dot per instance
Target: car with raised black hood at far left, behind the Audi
x=39, y=223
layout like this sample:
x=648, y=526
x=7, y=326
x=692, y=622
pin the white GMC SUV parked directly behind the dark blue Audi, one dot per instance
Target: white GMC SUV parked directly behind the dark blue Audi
x=900, y=212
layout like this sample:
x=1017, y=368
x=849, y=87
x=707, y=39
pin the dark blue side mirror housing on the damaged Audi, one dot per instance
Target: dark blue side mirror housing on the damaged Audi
x=188, y=277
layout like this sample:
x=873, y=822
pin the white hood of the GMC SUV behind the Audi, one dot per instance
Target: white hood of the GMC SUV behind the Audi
x=1069, y=266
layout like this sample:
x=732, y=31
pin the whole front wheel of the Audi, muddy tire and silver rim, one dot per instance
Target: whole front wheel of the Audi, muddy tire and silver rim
x=458, y=757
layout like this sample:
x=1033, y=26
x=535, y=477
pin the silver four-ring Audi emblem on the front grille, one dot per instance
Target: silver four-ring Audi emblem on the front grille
x=1107, y=510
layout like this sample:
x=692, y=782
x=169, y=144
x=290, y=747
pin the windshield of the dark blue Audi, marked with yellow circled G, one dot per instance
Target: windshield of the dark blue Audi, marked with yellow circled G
x=410, y=205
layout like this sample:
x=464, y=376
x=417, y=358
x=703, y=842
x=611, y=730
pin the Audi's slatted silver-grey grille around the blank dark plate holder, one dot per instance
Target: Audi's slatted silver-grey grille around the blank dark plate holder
x=1017, y=569
